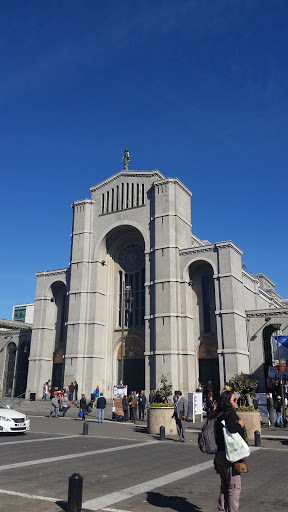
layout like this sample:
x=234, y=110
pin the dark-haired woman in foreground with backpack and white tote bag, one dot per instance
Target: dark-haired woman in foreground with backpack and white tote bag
x=230, y=487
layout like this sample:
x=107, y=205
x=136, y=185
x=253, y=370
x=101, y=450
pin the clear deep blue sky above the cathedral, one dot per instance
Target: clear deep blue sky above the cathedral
x=196, y=89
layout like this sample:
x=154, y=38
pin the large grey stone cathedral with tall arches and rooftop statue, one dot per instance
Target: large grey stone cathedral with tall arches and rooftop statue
x=144, y=297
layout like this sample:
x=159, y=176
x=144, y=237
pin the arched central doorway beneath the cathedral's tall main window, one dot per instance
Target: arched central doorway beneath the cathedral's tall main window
x=134, y=363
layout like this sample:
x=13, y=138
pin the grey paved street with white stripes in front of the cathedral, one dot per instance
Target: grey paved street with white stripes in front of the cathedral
x=125, y=469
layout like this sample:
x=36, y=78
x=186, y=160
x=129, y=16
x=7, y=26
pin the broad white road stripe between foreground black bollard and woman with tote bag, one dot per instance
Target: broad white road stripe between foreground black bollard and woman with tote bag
x=115, y=497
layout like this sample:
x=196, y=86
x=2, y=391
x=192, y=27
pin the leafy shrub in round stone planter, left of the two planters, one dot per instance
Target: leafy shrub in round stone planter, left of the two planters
x=160, y=413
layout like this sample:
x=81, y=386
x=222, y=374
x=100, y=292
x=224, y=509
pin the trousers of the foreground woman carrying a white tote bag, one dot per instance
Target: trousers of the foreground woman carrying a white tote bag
x=230, y=487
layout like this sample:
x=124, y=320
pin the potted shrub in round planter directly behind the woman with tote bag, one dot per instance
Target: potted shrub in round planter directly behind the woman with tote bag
x=246, y=386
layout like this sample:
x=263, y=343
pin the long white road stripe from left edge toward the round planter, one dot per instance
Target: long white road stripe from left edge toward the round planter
x=73, y=456
